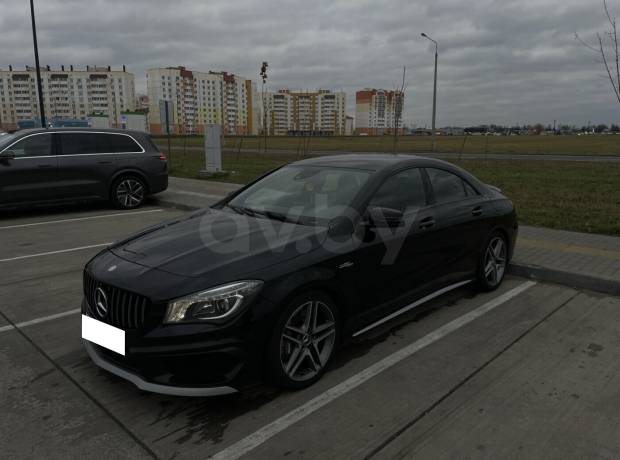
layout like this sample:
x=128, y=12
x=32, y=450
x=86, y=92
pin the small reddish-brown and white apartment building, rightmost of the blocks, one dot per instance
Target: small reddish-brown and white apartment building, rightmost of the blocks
x=377, y=111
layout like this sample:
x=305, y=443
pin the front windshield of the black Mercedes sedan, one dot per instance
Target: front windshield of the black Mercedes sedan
x=302, y=193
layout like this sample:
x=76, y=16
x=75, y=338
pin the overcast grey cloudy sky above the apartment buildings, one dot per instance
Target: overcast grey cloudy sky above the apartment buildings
x=500, y=61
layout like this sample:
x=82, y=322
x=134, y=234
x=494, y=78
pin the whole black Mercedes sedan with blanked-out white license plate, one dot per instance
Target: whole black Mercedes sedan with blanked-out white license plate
x=267, y=283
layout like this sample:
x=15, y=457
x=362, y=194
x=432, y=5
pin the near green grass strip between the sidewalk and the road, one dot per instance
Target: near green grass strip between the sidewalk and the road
x=575, y=196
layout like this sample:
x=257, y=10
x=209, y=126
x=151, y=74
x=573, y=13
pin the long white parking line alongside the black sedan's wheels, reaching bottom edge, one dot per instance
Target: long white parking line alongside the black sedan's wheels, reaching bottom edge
x=257, y=438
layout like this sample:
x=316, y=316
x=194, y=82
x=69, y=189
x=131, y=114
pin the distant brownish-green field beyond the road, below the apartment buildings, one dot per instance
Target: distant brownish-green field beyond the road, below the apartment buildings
x=568, y=145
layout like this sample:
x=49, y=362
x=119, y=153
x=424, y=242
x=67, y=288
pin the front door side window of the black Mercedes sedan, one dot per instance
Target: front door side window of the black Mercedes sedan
x=403, y=191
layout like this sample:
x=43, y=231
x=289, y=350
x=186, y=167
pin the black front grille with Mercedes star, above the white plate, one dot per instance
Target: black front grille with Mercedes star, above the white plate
x=125, y=309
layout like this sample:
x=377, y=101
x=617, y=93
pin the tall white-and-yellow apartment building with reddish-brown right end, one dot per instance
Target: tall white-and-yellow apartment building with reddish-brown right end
x=198, y=98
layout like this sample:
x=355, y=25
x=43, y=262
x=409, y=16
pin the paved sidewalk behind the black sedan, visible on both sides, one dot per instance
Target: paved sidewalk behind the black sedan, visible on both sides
x=579, y=260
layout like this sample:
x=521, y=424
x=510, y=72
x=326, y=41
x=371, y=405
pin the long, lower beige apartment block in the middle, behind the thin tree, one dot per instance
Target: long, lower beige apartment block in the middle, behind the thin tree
x=321, y=112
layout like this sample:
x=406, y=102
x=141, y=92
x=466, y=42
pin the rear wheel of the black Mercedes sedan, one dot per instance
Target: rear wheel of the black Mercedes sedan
x=493, y=262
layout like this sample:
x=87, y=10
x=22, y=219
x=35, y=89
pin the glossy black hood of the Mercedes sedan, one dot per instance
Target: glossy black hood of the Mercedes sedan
x=218, y=240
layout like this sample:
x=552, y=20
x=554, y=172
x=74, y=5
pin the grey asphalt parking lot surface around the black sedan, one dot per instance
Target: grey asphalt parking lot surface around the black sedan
x=528, y=371
